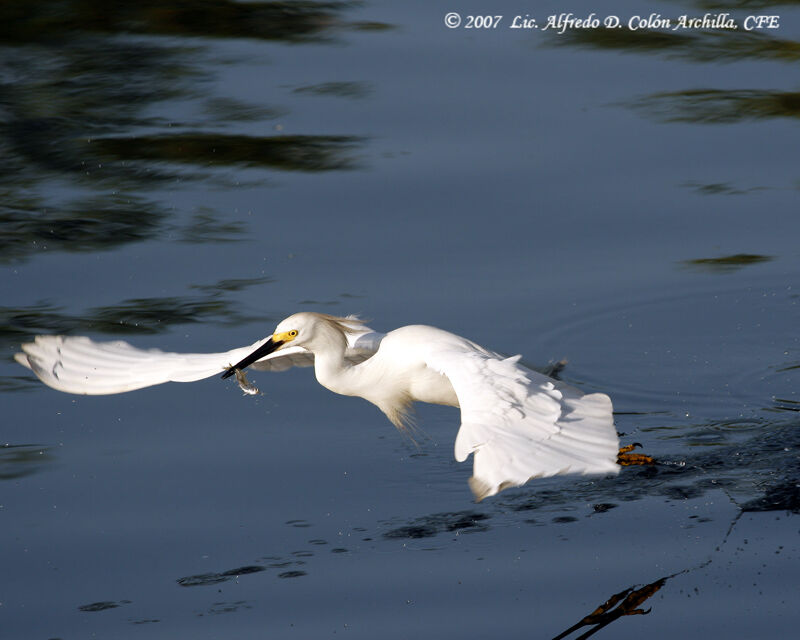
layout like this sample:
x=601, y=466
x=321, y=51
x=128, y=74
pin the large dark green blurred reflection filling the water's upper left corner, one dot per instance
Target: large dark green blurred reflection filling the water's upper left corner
x=79, y=108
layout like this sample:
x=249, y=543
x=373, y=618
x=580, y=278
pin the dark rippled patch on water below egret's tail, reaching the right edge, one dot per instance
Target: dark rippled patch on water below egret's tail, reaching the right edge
x=754, y=464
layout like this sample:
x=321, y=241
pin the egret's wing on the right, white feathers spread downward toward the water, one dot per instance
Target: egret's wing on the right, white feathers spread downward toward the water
x=520, y=424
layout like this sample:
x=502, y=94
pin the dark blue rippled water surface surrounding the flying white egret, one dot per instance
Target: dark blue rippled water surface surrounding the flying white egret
x=183, y=175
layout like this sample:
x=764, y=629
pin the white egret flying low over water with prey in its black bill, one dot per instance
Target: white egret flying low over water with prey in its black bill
x=518, y=424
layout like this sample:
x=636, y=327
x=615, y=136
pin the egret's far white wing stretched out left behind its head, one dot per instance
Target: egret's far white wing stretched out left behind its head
x=76, y=364
